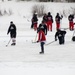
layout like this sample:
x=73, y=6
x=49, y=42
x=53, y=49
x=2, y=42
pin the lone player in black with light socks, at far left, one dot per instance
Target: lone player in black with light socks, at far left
x=12, y=31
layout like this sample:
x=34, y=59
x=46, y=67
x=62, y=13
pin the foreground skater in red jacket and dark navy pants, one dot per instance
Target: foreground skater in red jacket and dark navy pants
x=41, y=39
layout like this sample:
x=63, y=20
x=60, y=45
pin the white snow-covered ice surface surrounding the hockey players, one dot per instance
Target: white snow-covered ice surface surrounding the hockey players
x=24, y=58
